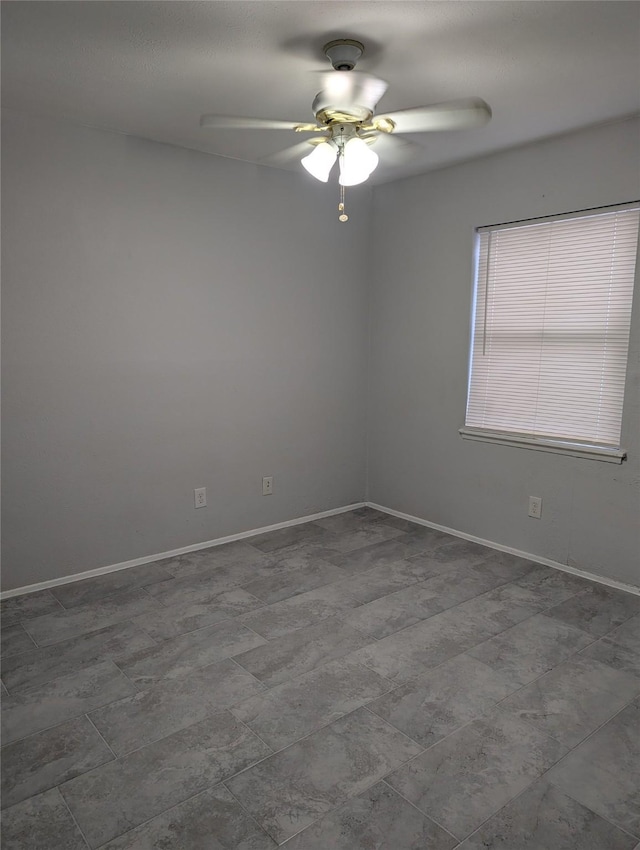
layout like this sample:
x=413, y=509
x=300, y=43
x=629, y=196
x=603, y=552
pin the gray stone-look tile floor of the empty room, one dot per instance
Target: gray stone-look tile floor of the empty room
x=348, y=684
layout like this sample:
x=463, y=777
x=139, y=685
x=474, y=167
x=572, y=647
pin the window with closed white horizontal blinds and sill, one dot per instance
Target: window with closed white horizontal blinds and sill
x=551, y=328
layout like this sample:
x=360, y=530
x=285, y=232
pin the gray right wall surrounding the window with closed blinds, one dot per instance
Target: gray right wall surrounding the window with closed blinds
x=420, y=325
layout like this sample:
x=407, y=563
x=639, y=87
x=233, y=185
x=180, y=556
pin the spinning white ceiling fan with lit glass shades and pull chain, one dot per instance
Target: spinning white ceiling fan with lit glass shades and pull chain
x=344, y=110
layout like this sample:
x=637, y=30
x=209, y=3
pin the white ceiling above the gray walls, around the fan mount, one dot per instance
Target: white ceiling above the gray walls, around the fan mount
x=151, y=68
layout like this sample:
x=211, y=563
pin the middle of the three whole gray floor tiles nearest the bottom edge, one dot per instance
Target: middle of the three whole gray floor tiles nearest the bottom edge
x=288, y=791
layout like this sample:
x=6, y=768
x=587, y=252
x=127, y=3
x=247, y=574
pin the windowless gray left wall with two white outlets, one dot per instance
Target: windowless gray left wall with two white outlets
x=171, y=320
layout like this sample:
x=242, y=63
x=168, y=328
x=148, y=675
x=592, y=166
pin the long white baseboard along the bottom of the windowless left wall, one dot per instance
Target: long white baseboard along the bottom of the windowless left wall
x=195, y=547
